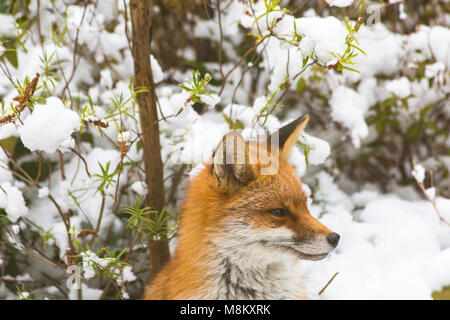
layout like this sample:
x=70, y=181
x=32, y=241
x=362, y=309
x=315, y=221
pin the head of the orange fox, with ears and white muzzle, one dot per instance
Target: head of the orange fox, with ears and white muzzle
x=255, y=202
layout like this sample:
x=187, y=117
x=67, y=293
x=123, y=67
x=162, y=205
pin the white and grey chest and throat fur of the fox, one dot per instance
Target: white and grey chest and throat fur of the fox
x=243, y=267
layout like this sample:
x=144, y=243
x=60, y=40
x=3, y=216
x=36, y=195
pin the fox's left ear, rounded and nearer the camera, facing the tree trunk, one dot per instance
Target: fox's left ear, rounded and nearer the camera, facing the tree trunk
x=231, y=162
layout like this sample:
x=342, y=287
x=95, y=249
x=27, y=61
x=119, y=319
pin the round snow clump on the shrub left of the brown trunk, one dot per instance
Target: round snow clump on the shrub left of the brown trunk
x=54, y=122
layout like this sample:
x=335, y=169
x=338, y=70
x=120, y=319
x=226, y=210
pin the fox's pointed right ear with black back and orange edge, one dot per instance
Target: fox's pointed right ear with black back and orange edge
x=288, y=136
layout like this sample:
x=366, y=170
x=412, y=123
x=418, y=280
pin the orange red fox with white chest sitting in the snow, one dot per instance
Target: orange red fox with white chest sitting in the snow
x=242, y=233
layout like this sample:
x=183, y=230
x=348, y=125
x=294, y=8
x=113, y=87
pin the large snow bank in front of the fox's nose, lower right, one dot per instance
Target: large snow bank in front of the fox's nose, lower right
x=389, y=249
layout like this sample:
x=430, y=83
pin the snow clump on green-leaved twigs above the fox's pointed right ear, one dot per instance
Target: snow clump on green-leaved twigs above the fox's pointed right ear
x=298, y=40
